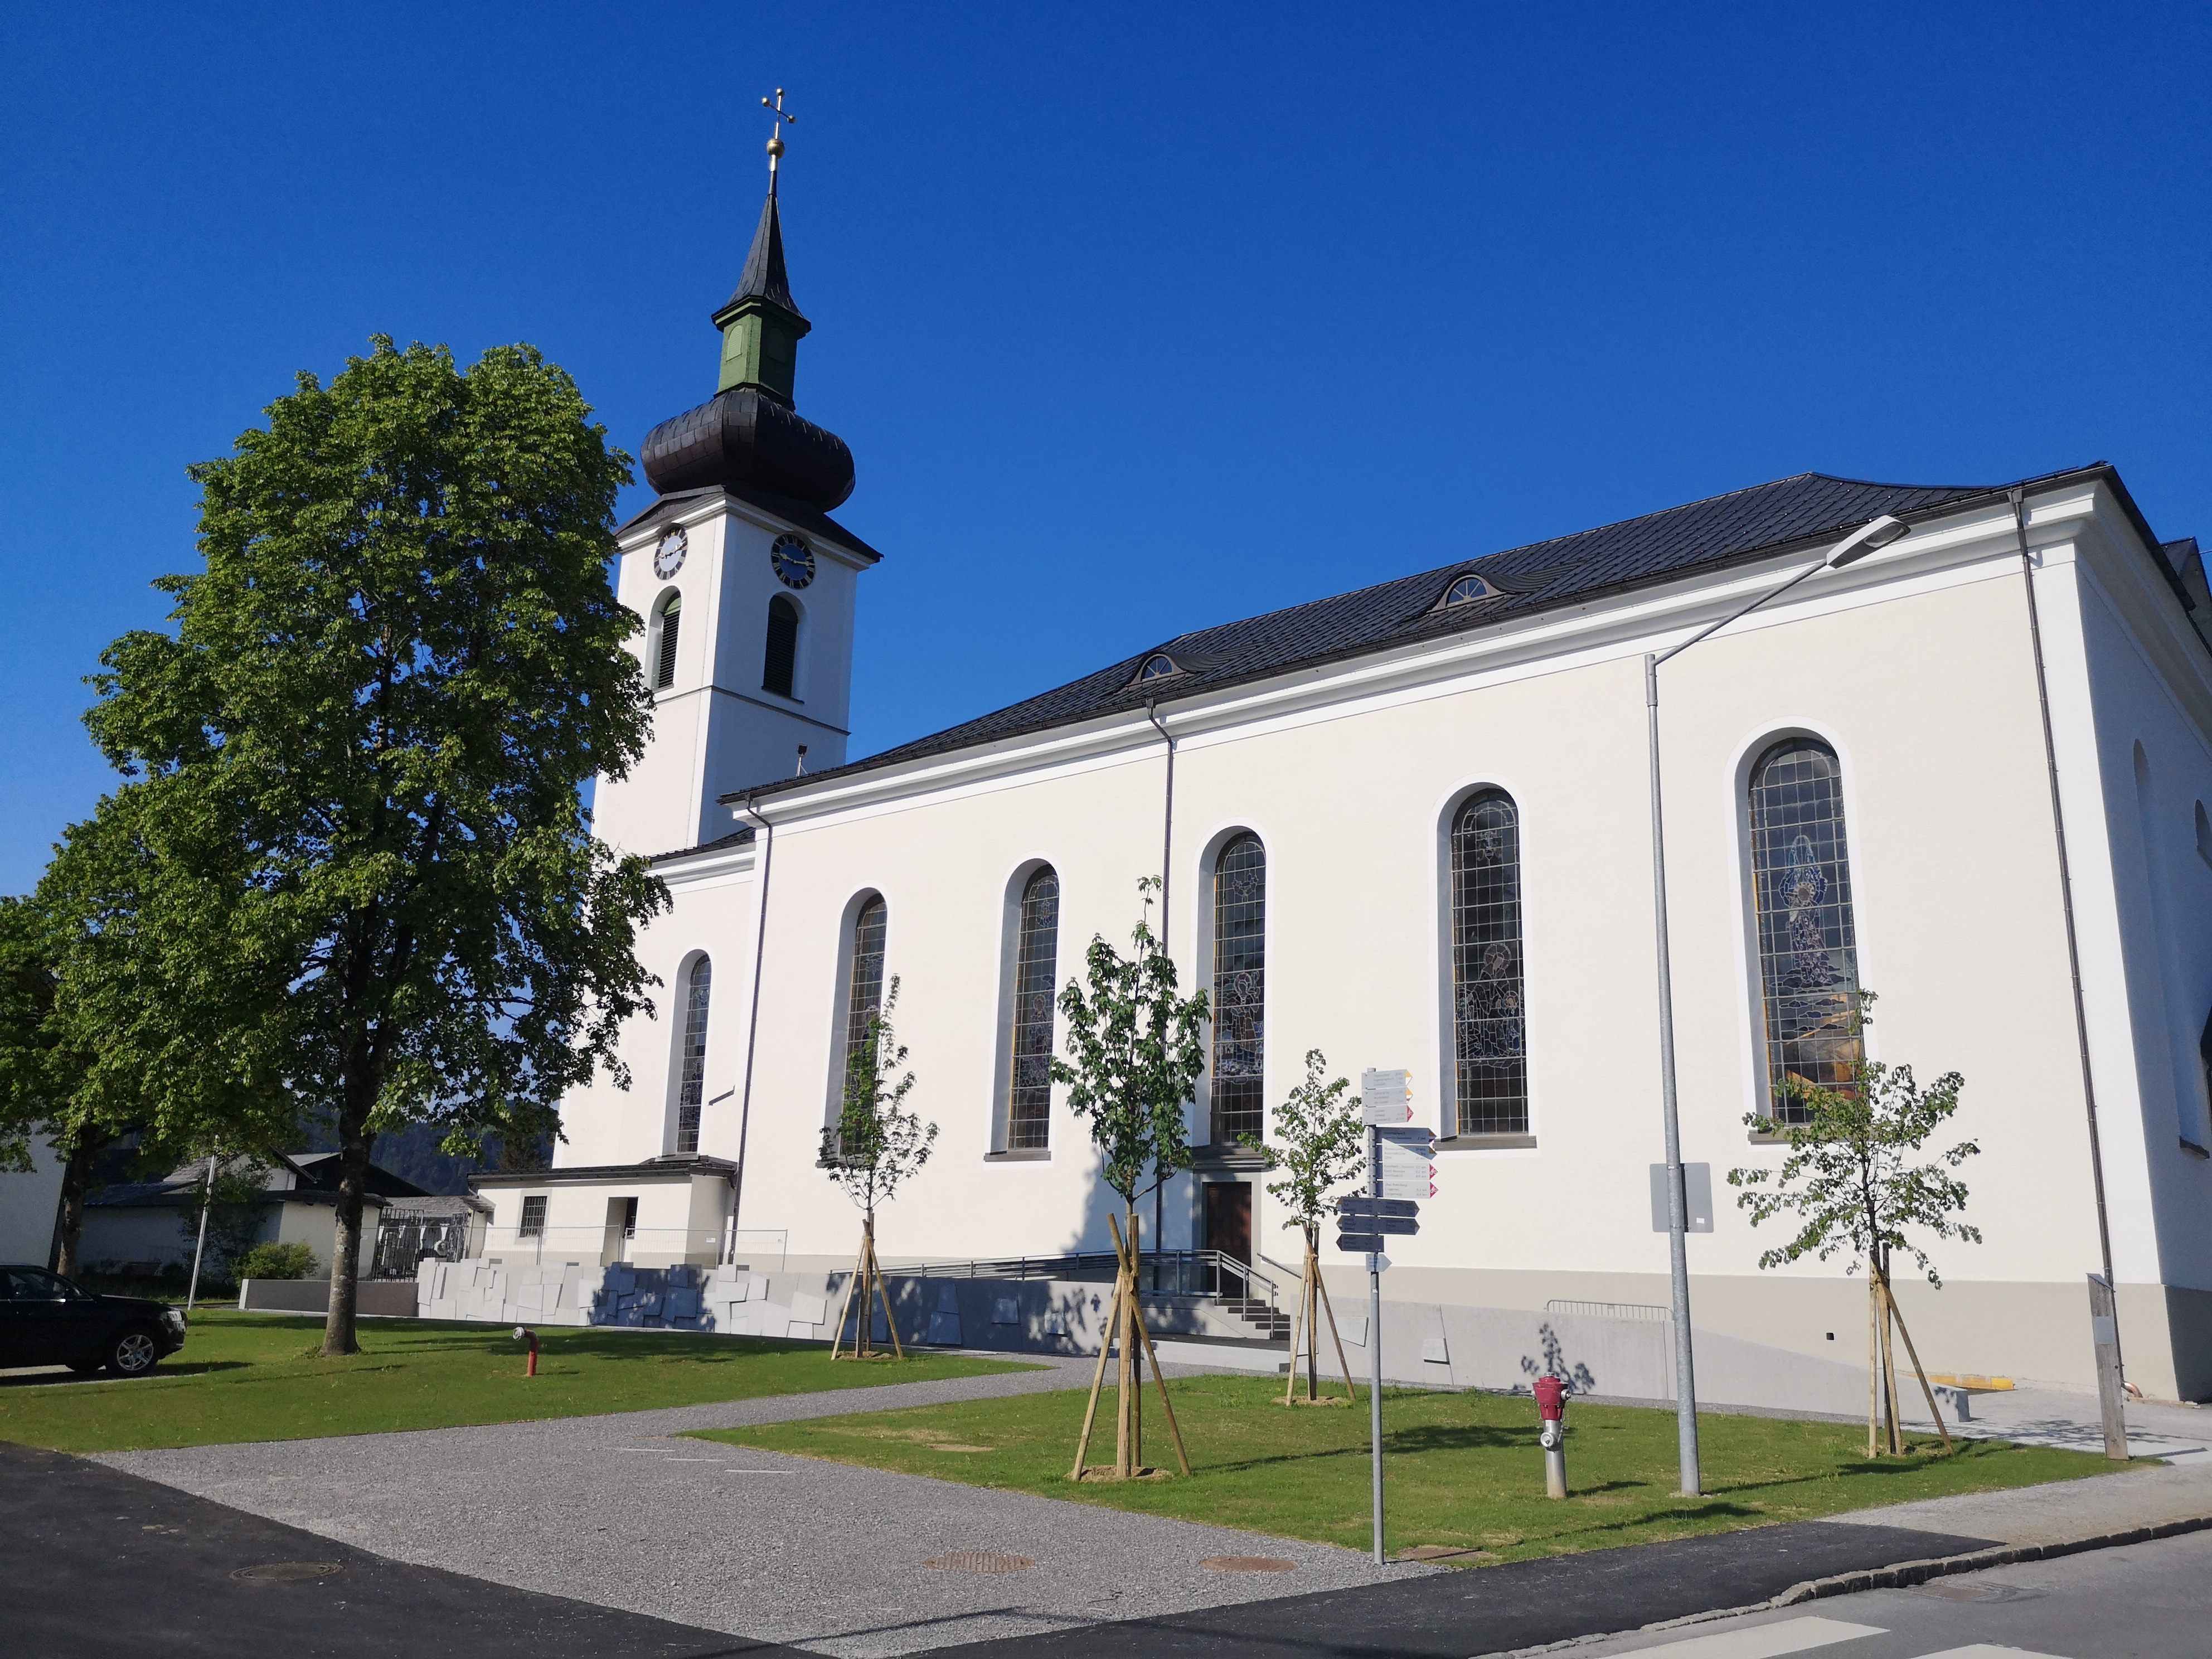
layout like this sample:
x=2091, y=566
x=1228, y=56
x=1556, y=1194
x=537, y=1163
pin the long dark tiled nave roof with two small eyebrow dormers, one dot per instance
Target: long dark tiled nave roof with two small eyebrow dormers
x=1567, y=570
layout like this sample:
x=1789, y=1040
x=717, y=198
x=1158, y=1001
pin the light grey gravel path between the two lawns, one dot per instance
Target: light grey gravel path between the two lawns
x=780, y=1550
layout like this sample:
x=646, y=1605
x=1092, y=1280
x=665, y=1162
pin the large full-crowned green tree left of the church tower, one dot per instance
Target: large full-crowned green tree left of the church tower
x=348, y=877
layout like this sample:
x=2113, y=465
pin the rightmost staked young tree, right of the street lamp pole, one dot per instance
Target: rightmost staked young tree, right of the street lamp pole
x=1855, y=1185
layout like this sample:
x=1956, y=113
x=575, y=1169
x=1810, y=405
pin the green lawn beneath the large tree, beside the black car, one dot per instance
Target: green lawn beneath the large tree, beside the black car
x=255, y=1377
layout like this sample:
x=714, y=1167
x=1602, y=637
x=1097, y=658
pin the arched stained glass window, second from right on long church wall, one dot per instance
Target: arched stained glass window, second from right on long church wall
x=1490, y=1023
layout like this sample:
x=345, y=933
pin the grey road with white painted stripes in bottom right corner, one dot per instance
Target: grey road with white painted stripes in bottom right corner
x=2140, y=1603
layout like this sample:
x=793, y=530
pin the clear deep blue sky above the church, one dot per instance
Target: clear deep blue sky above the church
x=1136, y=320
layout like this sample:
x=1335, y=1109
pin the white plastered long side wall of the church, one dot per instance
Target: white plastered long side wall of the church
x=1917, y=669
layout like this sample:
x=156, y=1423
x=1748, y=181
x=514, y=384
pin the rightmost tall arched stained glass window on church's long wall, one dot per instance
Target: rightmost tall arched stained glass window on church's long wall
x=1808, y=952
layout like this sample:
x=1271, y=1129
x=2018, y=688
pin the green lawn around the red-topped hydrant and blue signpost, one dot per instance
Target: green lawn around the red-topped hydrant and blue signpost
x=1461, y=1470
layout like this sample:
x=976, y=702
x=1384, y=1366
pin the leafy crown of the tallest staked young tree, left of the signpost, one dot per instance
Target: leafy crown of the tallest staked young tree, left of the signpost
x=1136, y=1054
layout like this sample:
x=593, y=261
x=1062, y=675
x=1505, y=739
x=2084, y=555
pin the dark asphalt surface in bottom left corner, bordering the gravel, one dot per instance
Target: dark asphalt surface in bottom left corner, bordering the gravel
x=96, y=1563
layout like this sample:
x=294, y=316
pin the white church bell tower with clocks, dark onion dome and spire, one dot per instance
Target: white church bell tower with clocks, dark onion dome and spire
x=742, y=576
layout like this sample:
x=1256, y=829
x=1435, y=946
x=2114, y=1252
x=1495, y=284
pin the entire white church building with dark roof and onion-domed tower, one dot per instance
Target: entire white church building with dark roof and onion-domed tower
x=1410, y=828
